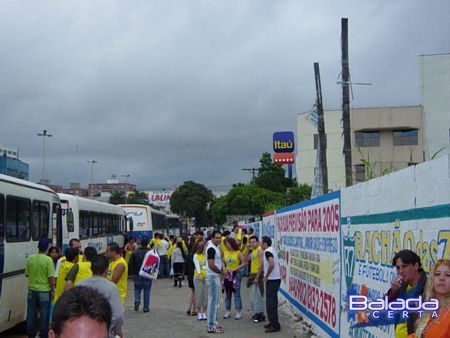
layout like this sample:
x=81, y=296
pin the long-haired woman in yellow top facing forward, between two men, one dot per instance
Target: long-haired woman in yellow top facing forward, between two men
x=233, y=261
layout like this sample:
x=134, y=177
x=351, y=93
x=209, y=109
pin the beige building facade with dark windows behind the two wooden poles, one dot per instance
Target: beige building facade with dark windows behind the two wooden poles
x=383, y=139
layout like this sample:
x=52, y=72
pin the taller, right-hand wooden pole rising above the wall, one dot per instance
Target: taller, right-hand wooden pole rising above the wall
x=346, y=103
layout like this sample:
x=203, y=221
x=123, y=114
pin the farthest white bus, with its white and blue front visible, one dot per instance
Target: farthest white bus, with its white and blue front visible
x=143, y=220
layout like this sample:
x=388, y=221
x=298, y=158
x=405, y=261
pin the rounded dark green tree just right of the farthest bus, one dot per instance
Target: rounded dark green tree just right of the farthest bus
x=192, y=199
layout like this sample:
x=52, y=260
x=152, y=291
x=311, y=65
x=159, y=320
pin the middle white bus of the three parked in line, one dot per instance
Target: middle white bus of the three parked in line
x=95, y=223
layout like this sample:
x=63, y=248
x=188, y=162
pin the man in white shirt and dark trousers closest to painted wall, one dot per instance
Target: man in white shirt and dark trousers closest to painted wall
x=272, y=279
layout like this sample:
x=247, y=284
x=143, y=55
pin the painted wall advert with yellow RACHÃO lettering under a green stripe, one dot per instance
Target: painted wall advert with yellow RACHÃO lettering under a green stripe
x=369, y=244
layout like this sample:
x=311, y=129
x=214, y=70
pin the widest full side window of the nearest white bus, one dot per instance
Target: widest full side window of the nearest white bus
x=18, y=212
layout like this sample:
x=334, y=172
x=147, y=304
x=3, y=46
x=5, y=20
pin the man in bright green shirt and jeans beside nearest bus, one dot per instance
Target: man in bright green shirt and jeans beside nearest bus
x=41, y=284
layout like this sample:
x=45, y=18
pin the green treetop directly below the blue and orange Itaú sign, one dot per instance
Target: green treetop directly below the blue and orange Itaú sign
x=271, y=176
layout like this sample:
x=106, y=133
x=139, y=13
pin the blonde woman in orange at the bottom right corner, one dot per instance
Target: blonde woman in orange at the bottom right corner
x=438, y=286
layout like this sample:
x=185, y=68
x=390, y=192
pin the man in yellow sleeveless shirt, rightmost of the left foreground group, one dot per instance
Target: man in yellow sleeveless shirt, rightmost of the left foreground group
x=118, y=269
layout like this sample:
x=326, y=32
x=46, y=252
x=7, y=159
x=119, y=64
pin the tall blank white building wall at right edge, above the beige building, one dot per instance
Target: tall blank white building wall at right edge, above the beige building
x=435, y=86
